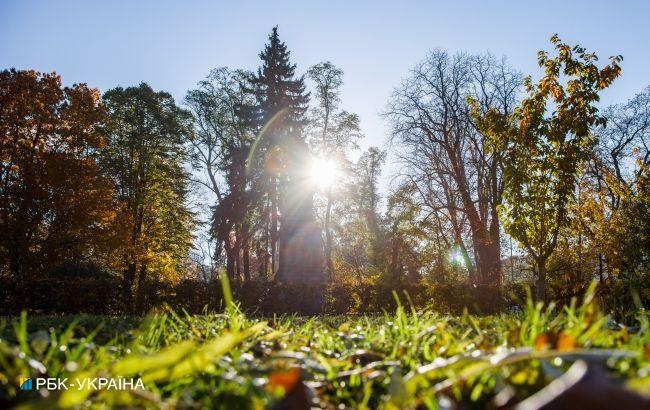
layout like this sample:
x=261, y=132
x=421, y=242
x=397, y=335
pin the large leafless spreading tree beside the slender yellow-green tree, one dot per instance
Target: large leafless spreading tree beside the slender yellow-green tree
x=445, y=155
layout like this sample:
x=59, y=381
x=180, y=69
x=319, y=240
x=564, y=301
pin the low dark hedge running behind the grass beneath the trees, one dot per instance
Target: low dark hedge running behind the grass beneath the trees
x=85, y=289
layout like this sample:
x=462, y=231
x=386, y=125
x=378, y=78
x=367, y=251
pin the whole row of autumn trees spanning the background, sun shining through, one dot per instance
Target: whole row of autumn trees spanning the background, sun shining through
x=136, y=186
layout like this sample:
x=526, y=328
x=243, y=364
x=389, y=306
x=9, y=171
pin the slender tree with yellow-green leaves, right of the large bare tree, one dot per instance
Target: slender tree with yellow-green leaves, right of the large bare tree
x=545, y=142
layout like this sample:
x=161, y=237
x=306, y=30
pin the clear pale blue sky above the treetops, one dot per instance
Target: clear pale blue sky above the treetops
x=173, y=45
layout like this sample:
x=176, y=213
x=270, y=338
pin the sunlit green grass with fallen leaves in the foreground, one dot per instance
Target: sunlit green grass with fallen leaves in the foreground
x=403, y=359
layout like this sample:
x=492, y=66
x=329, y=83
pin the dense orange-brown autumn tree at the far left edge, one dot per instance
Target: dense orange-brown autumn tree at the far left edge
x=55, y=206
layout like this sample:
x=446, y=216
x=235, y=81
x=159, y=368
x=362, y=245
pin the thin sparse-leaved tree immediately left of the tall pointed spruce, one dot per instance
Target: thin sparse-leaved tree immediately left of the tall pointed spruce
x=219, y=148
